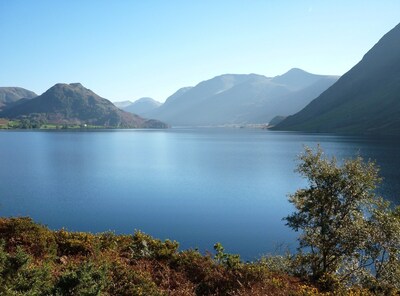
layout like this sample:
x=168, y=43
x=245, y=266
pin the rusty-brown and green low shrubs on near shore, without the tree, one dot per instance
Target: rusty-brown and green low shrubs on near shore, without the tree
x=37, y=261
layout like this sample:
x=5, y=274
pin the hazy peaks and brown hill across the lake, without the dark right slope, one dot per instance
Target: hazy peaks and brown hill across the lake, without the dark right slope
x=222, y=100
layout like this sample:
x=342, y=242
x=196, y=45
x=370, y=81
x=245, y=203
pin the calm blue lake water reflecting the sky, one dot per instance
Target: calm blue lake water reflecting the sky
x=196, y=186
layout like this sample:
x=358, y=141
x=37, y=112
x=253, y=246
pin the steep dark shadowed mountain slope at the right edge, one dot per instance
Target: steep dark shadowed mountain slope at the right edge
x=365, y=100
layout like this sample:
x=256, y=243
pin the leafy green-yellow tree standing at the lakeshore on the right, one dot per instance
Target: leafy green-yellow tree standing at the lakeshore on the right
x=346, y=228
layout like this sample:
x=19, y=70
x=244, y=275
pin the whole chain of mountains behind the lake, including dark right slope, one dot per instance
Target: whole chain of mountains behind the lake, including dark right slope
x=366, y=100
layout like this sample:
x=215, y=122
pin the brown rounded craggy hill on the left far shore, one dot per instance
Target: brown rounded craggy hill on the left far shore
x=75, y=104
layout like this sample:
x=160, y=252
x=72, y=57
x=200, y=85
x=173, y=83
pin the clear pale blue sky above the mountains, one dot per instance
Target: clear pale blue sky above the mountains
x=124, y=50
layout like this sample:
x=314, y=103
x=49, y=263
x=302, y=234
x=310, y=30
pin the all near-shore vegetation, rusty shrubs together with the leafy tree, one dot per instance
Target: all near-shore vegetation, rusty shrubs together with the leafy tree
x=349, y=245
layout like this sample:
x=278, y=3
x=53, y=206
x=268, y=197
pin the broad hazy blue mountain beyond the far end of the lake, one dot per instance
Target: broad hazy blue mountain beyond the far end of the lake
x=241, y=98
